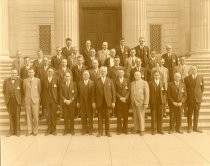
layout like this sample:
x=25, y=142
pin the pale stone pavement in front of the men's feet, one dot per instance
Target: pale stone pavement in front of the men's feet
x=119, y=150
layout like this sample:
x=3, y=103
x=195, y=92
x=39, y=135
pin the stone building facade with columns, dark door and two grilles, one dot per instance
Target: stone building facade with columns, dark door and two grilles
x=44, y=24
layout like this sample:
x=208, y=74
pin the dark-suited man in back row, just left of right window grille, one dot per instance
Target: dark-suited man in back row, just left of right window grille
x=142, y=51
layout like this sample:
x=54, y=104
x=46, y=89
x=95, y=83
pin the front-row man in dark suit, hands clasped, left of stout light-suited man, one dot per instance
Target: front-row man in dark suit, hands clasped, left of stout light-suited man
x=122, y=87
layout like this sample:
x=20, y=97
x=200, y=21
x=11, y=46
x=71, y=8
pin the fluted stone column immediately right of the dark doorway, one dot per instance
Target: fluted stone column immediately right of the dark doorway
x=133, y=20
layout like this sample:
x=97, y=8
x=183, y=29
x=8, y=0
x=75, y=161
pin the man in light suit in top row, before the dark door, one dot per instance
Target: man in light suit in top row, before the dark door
x=104, y=53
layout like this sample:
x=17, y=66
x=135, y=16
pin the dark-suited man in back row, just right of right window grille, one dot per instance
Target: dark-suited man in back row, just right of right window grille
x=171, y=60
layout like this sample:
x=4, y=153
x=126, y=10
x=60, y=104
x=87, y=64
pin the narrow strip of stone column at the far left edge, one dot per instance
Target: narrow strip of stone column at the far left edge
x=4, y=30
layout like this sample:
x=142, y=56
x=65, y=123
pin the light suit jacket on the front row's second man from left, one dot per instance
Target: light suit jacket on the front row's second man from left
x=32, y=91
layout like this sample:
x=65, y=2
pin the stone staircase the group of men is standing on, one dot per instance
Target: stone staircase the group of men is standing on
x=204, y=119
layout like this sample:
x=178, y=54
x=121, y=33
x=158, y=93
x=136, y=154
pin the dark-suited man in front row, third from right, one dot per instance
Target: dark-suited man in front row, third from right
x=157, y=98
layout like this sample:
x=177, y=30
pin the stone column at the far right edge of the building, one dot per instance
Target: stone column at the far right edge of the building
x=200, y=27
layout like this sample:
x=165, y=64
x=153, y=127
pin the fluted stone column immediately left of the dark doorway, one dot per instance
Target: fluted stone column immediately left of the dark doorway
x=66, y=22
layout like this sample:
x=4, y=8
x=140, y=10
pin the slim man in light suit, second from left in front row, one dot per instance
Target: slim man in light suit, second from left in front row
x=32, y=92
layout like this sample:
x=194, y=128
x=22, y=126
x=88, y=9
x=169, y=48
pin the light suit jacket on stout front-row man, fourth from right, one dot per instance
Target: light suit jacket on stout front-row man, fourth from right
x=139, y=93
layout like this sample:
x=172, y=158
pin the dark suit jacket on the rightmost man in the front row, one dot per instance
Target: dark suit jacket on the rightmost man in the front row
x=194, y=91
